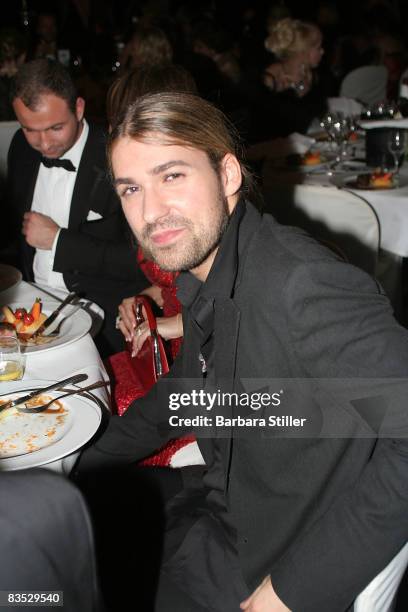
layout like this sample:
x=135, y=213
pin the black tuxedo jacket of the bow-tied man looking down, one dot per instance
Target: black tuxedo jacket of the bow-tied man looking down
x=97, y=258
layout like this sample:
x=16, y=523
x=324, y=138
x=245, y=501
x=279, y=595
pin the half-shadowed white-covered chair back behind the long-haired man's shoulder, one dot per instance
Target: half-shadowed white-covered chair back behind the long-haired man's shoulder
x=337, y=218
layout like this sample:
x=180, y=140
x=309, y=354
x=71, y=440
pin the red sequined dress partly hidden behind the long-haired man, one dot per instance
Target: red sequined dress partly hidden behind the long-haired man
x=126, y=389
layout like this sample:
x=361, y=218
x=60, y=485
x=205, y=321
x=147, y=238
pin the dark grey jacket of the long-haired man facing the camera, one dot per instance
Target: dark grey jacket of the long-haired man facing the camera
x=321, y=513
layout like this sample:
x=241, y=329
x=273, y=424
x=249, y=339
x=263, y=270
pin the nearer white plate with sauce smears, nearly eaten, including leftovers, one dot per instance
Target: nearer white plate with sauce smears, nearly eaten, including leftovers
x=31, y=440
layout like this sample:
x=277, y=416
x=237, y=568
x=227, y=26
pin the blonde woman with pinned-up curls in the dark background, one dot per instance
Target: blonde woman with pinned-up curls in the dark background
x=297, y=46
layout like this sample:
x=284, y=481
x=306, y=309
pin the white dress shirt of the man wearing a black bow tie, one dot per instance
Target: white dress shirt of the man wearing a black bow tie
x=52, y=197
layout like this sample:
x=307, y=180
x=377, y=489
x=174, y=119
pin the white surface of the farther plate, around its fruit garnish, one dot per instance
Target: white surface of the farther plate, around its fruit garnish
x=76, y=325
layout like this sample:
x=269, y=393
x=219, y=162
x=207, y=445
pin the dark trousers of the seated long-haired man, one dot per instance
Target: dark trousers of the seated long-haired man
x=138, y=535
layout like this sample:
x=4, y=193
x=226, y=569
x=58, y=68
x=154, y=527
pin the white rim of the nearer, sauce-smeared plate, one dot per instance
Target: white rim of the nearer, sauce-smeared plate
x=84, y=420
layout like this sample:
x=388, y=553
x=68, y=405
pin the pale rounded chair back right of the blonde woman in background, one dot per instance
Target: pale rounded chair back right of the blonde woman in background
x=367, y=84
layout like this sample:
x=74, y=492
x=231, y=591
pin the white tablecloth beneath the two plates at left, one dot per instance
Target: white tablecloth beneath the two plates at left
x=79, y=356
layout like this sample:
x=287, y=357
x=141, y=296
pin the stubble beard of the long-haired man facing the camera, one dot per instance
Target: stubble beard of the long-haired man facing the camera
x=197, y=244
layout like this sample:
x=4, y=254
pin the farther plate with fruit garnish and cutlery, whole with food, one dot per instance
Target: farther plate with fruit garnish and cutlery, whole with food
x=70, y=325
